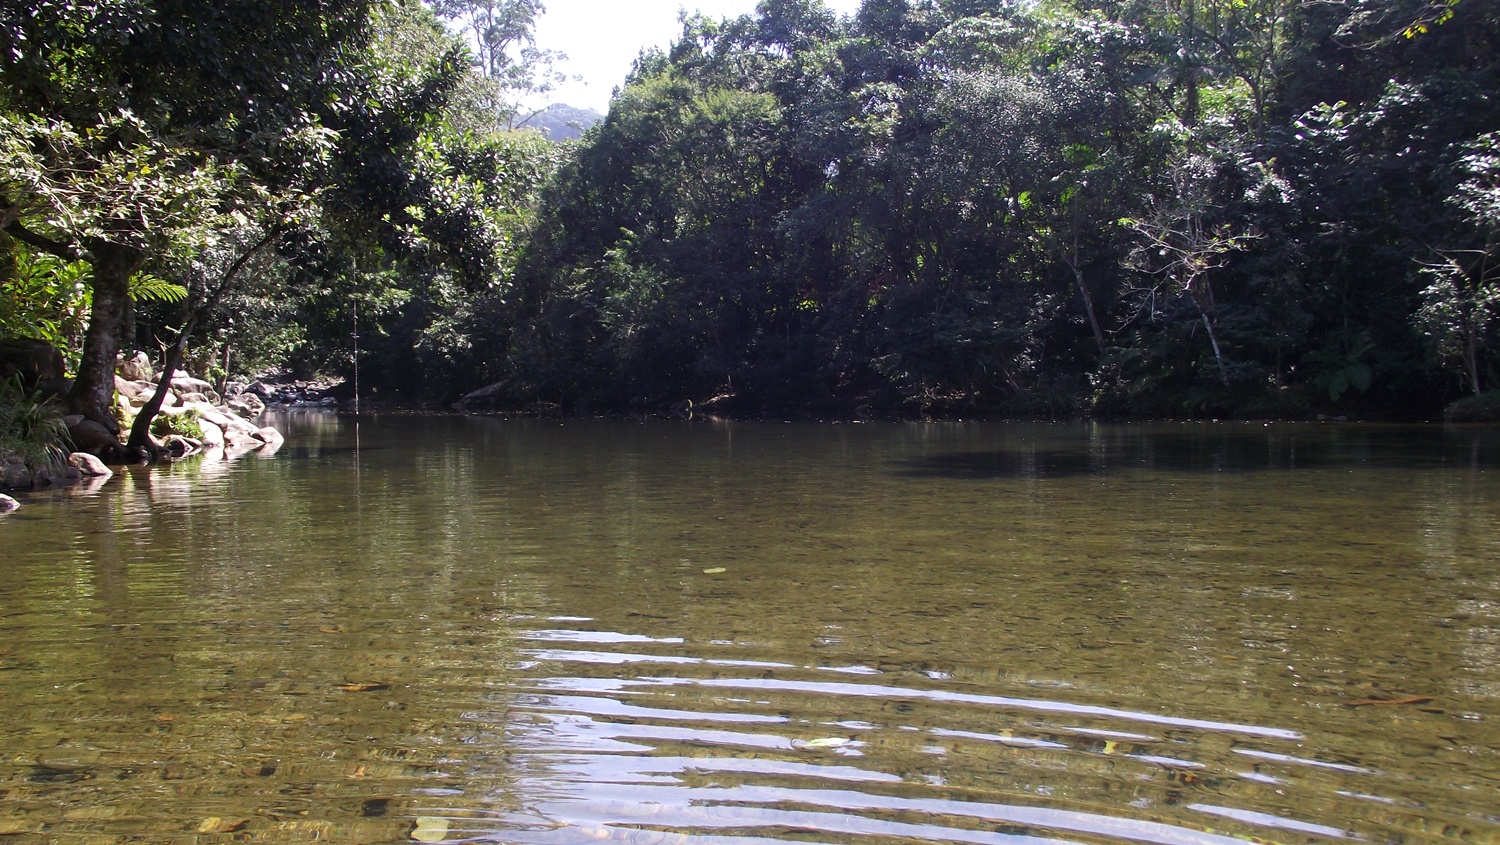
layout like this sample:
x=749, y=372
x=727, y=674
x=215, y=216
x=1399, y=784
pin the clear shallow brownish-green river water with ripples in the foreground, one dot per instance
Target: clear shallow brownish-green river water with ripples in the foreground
x=728, y=634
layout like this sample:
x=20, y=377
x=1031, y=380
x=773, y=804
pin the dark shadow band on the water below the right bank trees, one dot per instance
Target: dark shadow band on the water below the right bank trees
x=1220, y=450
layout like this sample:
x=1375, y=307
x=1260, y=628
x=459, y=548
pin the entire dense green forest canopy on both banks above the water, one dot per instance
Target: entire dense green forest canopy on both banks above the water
x=1043, y=208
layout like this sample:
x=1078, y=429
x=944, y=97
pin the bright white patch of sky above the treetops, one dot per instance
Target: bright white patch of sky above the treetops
x=602, y=38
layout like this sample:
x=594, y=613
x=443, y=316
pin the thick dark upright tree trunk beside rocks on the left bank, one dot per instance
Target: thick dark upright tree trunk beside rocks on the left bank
x=94, y=389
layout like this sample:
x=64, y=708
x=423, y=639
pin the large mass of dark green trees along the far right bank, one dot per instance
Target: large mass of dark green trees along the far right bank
x=920, y=211
